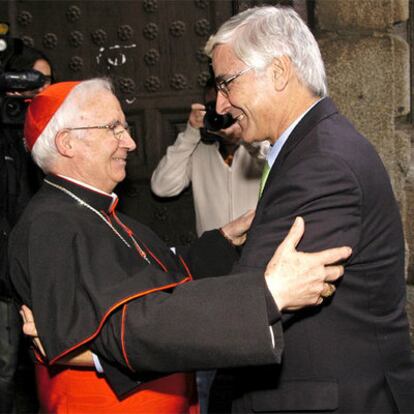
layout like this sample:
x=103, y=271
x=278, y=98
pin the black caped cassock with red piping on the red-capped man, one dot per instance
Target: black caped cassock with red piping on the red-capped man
x=98, y=279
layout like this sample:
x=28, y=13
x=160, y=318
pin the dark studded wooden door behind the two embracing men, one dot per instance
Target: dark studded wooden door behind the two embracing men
x=153, y=52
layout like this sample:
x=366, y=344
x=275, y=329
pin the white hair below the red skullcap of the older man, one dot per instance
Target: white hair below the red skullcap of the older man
x=44, y=150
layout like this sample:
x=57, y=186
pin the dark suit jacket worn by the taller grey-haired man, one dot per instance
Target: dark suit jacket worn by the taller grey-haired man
x=352, y=354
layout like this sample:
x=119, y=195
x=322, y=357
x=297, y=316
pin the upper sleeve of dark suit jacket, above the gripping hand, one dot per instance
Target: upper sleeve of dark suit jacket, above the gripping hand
x=324, y=191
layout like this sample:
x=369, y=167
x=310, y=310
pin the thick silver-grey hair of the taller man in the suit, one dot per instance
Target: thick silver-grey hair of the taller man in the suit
x=260, y=34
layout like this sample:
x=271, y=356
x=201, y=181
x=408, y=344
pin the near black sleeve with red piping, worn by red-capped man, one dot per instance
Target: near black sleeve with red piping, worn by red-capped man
x=210, y=323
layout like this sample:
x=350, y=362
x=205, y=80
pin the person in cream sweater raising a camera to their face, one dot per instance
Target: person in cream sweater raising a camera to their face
x=224, y=171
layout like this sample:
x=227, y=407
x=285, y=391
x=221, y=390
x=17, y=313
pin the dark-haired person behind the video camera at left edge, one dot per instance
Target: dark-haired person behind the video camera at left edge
x=19, y=179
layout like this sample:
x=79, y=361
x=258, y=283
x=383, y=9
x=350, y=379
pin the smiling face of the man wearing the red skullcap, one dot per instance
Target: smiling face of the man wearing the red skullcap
x=100, y=158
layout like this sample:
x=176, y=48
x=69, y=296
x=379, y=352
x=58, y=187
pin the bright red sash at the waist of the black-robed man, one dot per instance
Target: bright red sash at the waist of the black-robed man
x=65, y=390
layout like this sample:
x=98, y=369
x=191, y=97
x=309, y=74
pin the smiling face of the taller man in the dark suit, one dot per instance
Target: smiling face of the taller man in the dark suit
x=251, y=97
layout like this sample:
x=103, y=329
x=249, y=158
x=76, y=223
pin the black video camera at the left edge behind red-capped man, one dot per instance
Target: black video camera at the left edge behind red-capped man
x=13, y=108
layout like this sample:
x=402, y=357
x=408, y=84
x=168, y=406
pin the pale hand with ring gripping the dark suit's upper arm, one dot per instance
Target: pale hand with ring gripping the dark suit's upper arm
x=298, y=279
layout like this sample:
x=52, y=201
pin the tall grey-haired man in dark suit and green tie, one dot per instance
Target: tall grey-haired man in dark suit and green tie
x=353, y=353
